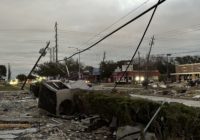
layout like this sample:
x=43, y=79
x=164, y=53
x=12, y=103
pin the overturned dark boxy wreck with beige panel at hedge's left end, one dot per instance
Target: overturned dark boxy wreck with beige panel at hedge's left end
x=56, y=98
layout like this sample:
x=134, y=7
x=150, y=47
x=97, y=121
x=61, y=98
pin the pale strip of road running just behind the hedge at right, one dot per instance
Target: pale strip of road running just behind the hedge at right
x=167, y=99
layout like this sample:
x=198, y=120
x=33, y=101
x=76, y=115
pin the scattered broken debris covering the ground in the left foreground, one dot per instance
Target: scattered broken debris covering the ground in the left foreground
x=20, y=117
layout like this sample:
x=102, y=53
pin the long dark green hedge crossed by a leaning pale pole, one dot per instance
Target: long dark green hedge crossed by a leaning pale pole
x=174, y=120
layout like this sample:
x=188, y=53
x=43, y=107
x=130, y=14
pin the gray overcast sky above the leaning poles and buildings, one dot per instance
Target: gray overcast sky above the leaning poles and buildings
x=26, y=25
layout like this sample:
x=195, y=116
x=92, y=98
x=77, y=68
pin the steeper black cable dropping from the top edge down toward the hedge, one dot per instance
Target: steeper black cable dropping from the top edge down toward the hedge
x=139, y=43
